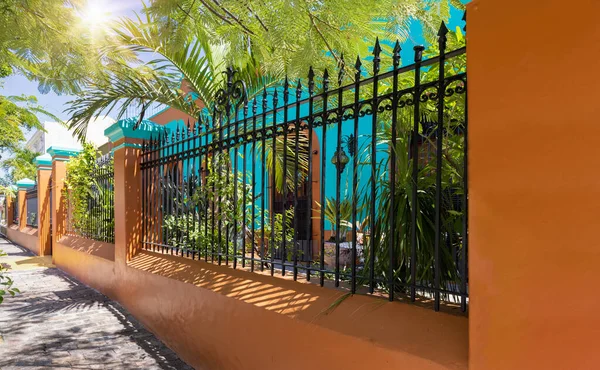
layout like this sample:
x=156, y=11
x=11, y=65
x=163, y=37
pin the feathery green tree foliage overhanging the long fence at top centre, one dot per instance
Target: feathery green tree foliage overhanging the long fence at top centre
x=290, y=36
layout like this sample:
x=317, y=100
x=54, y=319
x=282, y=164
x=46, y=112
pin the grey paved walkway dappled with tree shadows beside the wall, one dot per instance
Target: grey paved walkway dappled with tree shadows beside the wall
x=59, y=323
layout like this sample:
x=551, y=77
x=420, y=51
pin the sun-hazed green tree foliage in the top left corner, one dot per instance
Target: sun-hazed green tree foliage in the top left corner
x=48, y=42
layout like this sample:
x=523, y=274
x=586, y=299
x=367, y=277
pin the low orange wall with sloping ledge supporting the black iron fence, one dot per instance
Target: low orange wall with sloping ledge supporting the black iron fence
x=218, y=318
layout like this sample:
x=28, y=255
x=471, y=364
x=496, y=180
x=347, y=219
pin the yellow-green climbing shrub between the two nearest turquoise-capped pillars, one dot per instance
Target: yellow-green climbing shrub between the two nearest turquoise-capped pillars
x=86, y=197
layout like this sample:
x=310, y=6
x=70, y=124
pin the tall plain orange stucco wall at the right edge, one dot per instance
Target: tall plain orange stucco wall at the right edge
x=534, y=186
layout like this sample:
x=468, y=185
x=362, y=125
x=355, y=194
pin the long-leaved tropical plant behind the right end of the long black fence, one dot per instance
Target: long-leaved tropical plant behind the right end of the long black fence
x=386, y=232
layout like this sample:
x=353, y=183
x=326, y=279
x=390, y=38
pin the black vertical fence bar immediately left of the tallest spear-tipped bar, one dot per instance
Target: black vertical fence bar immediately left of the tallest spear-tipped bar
x=415, y=171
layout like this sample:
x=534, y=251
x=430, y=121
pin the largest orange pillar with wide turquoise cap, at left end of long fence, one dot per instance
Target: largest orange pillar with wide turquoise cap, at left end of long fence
x=127, y=144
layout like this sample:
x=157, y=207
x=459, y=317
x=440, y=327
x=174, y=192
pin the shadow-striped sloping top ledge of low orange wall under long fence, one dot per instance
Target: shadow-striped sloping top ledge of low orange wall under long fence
x=374, y=319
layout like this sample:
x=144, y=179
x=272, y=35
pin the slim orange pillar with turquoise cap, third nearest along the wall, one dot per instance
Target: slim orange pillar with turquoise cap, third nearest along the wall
x=44, y=166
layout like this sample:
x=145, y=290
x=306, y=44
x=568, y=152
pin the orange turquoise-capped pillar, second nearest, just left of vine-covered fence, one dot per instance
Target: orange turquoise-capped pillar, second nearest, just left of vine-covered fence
x=58, y=207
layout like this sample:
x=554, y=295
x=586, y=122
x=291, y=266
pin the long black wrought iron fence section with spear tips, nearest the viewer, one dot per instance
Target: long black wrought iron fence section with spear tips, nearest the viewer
x=321, y=182
